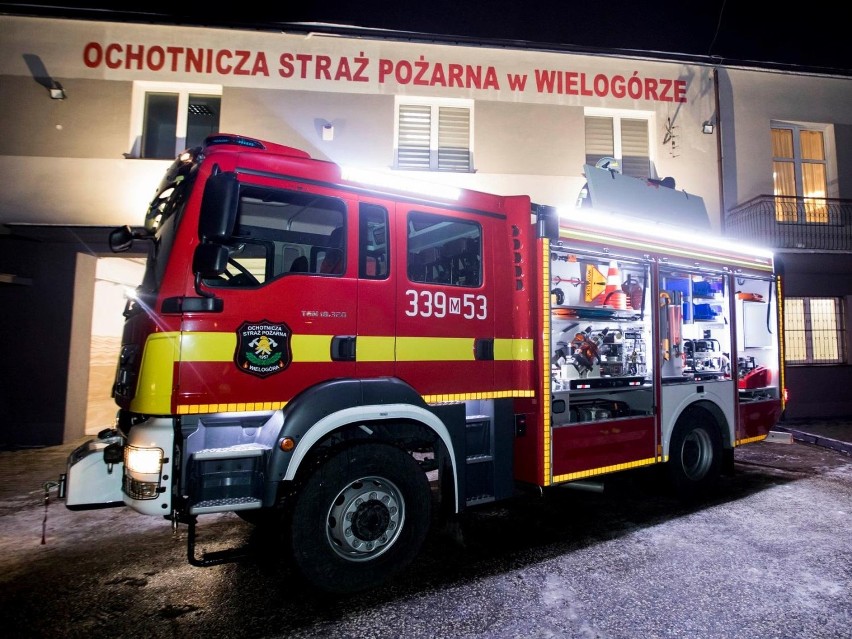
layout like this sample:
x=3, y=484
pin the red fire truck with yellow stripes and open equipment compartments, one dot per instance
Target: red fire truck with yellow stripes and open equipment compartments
x=344, y=358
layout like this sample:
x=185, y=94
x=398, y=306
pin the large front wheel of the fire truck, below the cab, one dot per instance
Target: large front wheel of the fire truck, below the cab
x=386, y=495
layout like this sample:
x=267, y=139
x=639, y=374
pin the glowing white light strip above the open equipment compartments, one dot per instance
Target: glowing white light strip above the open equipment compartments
x=655, y=231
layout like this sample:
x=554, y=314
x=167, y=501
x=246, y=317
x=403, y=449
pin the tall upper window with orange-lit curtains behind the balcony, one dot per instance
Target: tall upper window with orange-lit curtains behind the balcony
x=799, y=174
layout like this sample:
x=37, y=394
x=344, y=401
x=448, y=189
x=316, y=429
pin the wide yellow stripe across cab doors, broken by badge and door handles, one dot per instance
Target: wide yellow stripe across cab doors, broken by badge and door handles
x=219, y=347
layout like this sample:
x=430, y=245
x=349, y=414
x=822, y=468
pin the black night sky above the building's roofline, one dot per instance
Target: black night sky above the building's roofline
x=814, y=36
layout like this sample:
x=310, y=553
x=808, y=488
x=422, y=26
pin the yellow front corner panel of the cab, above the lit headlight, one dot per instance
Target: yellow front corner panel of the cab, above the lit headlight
x=154, y=388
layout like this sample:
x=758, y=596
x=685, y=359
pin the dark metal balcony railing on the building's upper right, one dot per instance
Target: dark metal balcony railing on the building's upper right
x=822, y=224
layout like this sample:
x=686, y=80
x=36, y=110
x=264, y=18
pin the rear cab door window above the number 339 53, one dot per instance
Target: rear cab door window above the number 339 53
x=444, y=250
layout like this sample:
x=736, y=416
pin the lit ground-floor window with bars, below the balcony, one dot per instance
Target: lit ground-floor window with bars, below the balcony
x=814, y=330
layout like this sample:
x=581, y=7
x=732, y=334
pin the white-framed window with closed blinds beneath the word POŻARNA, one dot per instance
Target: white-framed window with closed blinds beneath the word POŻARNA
x=434, y=135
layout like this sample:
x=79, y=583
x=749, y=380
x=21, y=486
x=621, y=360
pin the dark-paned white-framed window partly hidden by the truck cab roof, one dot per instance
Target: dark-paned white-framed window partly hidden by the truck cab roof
x=170, y=117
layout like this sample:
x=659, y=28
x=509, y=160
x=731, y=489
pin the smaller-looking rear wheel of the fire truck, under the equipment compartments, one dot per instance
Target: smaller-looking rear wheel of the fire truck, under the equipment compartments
x=695, y=455
